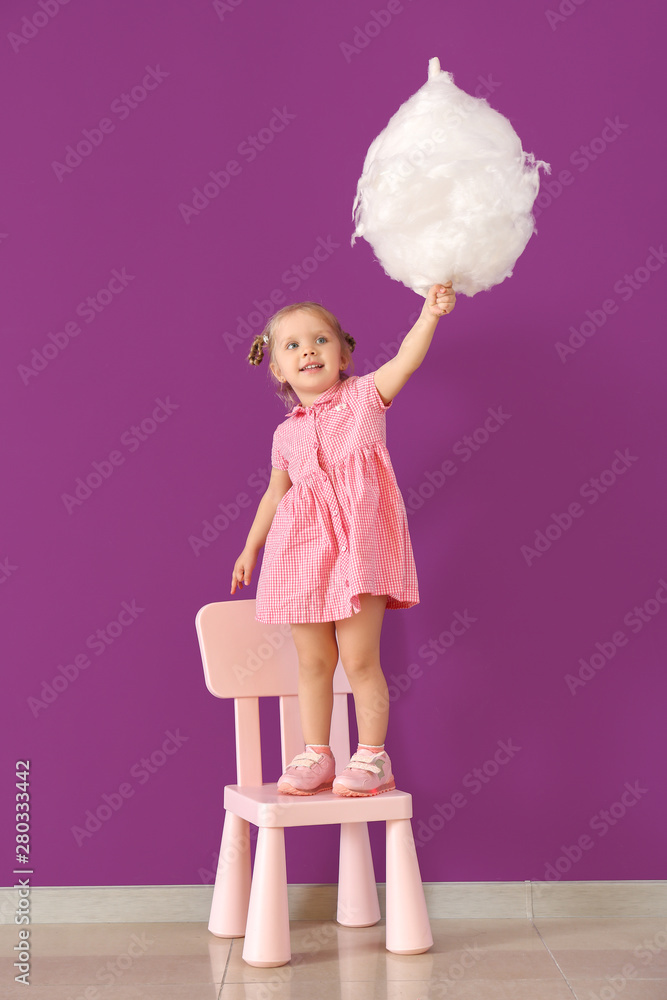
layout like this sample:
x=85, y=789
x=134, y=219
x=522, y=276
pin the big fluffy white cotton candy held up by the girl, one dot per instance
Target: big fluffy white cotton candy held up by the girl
x=446, y=191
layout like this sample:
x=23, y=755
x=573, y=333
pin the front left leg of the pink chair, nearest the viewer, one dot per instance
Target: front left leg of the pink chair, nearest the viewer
x=267, y=941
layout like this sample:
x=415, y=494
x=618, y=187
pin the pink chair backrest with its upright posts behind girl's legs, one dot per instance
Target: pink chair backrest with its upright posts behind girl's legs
x=246, y=660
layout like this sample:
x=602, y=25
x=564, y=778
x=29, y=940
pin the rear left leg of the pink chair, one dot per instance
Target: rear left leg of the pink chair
x=229, y=907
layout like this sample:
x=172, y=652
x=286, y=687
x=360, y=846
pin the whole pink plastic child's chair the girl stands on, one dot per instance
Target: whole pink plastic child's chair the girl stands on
x=245, y=659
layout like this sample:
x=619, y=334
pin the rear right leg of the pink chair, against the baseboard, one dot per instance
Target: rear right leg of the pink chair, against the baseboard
x=358, y=904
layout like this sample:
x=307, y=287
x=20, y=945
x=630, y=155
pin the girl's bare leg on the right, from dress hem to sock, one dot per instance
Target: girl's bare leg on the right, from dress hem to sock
x=359, y=645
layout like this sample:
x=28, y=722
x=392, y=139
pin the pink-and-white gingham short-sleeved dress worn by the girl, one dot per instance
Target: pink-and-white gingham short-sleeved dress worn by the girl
x=341, y=529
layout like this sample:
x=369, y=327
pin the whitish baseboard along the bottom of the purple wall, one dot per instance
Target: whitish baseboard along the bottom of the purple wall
x=167, y=903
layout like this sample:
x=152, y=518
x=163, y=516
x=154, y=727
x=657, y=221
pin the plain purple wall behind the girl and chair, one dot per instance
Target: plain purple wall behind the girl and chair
x=156, y=349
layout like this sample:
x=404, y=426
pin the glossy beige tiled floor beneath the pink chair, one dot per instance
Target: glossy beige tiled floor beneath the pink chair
x=596, y=958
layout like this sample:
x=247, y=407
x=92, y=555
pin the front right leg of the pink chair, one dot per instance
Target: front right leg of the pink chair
x=408, y=928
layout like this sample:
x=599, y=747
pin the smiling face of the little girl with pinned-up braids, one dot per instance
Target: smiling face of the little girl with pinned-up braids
x=308, y=354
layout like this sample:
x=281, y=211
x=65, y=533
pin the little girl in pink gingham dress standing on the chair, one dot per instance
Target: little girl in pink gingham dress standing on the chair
x=338, y=550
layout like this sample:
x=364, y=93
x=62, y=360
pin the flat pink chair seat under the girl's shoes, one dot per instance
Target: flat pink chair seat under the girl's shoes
x=265, y=806
